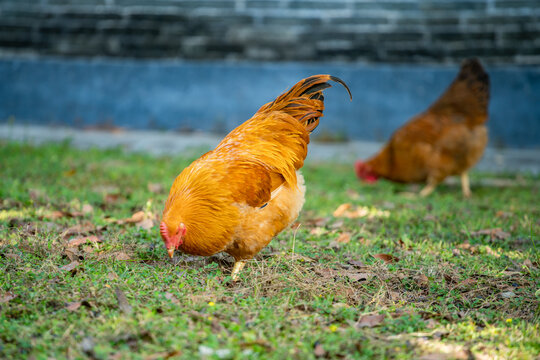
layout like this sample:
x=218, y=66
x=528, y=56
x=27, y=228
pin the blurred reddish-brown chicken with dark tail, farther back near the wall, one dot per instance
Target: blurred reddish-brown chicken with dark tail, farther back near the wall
x=447, y=139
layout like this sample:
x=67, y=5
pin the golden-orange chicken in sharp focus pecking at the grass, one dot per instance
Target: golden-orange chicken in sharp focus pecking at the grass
x=237, y=197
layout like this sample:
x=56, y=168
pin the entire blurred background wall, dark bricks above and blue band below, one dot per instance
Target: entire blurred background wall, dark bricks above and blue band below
x=209, y=64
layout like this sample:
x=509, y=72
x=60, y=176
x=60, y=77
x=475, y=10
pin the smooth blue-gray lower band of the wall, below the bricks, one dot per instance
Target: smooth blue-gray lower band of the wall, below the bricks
x=219, y=96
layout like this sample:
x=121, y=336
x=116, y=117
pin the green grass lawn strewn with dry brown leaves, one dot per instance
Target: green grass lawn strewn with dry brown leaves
x=84, y=273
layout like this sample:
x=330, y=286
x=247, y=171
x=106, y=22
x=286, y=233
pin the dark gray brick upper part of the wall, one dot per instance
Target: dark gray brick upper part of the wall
x=498, y=31
